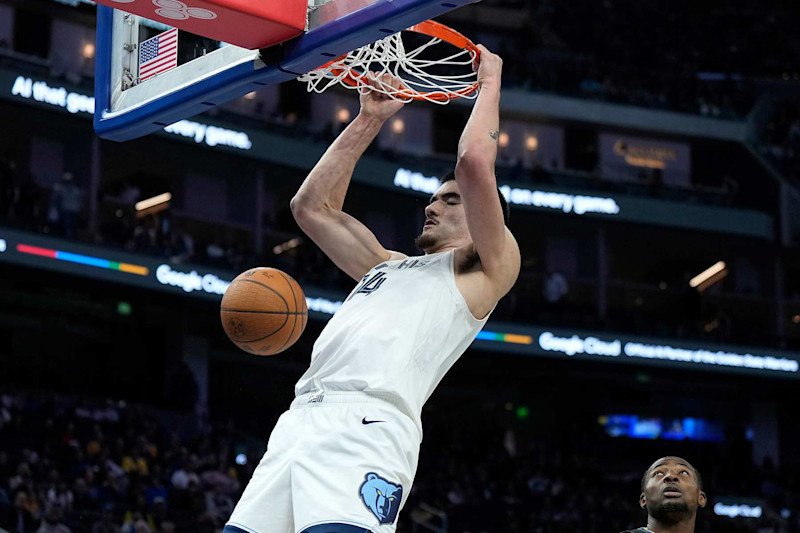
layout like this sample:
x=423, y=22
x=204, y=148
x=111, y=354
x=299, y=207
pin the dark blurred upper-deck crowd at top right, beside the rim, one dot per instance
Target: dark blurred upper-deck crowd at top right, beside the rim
x=629, y=53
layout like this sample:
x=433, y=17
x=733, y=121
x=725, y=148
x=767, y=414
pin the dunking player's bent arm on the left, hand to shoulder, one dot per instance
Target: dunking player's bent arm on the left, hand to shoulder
x=317, y=206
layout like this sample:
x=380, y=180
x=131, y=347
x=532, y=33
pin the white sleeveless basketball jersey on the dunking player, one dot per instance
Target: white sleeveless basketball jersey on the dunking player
x=397, y=333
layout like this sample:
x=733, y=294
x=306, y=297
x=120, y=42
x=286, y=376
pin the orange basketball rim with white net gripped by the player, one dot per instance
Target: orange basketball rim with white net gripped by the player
x=438, y=79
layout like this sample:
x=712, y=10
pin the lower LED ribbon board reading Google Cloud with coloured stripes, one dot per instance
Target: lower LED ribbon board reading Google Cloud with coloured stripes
x=59, y=255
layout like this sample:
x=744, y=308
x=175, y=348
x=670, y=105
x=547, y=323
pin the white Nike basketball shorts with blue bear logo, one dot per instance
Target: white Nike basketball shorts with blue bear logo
x=336, y=462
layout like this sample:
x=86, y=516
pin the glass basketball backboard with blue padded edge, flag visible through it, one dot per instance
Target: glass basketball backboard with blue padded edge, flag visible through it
x=206, y=72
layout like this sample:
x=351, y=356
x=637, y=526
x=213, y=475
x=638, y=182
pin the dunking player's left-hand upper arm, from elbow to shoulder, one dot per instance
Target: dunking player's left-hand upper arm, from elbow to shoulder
x=346, y=241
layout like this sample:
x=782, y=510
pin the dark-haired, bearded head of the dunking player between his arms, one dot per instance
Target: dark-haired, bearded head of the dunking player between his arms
x=445, y=220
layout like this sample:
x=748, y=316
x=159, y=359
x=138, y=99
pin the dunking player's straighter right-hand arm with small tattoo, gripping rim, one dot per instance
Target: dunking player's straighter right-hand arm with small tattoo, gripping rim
x=477, y=152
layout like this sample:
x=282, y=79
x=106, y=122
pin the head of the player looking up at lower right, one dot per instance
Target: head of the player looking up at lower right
x=672, y=491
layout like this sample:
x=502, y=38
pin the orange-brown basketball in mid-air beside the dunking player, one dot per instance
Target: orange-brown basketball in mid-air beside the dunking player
x=264, y=311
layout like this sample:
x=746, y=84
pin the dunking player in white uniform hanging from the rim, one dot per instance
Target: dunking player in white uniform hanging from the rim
x=343, y=458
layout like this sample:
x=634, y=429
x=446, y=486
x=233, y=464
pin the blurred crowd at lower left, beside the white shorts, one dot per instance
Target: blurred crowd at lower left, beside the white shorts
x=67, y=466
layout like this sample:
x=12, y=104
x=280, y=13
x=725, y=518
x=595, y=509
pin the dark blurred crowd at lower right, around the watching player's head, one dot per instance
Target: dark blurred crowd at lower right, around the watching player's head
x=513, y=477
